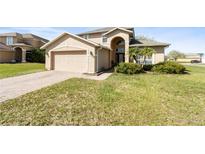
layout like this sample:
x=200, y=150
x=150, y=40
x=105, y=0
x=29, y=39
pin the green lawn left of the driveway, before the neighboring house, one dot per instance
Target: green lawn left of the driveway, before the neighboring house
x=9, y=70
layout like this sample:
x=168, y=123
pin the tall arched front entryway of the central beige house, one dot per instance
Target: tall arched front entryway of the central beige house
x=118, y=50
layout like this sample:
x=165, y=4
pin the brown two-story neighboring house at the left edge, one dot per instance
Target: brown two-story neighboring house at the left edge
x=15, y=45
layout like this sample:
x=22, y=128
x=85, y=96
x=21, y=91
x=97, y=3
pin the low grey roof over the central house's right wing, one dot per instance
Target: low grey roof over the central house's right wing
x=147, y=42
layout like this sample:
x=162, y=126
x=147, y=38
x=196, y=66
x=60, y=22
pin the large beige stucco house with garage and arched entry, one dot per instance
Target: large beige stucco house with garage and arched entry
x=96, y=50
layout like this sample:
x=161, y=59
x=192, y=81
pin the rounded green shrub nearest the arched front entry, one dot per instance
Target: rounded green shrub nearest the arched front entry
x=128, y=68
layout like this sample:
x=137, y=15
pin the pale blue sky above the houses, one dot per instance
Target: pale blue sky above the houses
x=188, y=40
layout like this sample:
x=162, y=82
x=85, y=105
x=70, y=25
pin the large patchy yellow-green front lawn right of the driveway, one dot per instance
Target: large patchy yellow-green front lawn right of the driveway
x=146, y=99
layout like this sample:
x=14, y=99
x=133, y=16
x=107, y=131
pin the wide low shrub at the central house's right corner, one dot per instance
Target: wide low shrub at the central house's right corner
x=169, y=68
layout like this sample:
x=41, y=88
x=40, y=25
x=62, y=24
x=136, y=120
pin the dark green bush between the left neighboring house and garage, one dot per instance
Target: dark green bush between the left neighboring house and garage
x=36, y=55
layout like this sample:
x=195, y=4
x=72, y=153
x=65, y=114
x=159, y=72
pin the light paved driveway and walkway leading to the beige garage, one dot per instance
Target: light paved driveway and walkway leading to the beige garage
x=16, y=86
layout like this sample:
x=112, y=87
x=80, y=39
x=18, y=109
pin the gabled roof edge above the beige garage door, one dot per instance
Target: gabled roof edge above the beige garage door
x=75, y=36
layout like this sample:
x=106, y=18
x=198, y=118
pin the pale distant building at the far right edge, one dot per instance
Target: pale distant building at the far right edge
x=189, y=57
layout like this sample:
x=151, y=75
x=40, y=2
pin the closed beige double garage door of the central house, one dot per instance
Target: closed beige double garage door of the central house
x=71, y=61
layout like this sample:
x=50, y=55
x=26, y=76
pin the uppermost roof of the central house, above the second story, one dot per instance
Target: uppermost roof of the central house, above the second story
x=103, y=30
